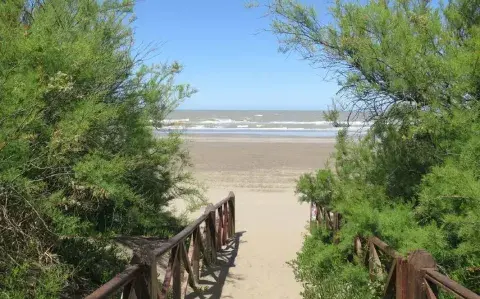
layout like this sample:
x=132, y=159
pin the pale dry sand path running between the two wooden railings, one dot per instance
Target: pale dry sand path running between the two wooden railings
x=269, y=229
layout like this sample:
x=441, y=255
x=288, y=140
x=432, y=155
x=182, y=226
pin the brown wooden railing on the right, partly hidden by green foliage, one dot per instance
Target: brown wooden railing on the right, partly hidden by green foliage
x=413, y=277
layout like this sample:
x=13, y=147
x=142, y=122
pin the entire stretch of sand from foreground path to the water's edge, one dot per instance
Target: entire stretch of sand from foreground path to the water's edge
x=270, y=223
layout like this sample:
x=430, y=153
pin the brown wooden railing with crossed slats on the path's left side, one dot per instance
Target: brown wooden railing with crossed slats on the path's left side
x=204, y=238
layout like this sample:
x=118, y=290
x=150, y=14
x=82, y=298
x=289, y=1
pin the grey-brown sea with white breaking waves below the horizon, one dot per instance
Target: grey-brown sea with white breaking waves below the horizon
x=258, y=123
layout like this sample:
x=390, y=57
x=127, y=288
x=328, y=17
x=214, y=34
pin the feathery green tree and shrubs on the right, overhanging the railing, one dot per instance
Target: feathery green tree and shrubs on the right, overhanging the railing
x=413, y=180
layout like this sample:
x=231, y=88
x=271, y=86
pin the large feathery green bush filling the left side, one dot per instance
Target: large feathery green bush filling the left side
x=79, y=162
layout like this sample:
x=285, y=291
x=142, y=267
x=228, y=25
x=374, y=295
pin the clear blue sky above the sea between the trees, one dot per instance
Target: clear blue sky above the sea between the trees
x=229, y=56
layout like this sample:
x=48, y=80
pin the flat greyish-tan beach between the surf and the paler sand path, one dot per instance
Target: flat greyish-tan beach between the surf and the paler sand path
x=260, y=164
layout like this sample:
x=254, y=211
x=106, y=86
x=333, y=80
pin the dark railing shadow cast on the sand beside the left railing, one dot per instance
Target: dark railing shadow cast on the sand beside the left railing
x=212, y=279
